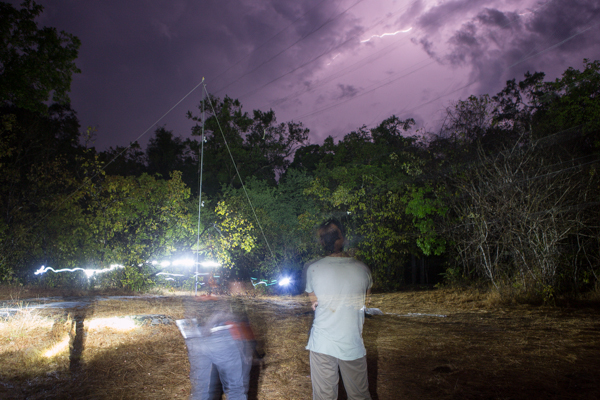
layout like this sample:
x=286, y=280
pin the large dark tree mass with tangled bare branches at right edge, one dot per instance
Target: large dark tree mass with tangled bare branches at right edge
x=520, y=209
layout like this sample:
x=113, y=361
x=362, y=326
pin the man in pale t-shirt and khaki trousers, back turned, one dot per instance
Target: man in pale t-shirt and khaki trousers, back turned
x=337, y=286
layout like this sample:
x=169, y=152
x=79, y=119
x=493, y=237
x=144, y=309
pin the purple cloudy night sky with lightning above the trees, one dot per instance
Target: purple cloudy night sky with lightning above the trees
x=333, y=65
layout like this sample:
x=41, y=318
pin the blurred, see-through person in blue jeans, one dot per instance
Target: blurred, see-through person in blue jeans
x=220, y=346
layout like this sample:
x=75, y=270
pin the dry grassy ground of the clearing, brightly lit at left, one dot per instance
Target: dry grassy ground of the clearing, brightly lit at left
x=479, y=350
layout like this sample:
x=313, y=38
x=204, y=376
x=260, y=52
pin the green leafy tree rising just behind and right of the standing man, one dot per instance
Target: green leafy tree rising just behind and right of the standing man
x=363, y=180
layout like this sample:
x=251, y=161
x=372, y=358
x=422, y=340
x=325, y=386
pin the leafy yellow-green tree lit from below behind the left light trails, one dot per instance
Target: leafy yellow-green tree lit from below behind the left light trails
x=129, y=221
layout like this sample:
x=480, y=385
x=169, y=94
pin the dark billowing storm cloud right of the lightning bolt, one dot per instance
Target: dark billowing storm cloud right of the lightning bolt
x=497, y=44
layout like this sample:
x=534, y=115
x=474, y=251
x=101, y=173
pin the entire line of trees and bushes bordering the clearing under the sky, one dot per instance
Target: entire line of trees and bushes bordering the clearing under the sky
x=505, y=194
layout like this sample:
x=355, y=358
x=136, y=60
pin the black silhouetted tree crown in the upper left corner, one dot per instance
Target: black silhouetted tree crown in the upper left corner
x=36, y=65
